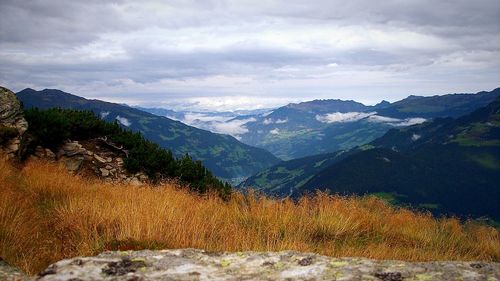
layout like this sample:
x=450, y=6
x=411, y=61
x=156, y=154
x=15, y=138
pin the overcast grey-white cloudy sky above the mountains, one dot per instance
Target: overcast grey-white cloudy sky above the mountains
x=245, y=54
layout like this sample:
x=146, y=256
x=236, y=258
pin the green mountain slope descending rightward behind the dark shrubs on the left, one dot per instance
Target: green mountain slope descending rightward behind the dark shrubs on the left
x=225, y=156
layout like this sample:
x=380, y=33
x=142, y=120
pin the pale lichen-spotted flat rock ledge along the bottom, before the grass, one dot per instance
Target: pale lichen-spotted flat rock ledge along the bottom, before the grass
x=190, y=264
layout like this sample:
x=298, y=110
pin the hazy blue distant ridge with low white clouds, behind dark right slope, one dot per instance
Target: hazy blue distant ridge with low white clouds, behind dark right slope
x=325, y=126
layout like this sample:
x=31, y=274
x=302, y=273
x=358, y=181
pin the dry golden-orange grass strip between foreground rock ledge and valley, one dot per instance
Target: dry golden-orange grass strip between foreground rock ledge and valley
x=47, y=215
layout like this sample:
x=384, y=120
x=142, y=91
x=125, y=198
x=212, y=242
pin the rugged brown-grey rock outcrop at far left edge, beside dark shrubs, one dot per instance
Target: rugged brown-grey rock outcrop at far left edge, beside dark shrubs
x=12, y=122
